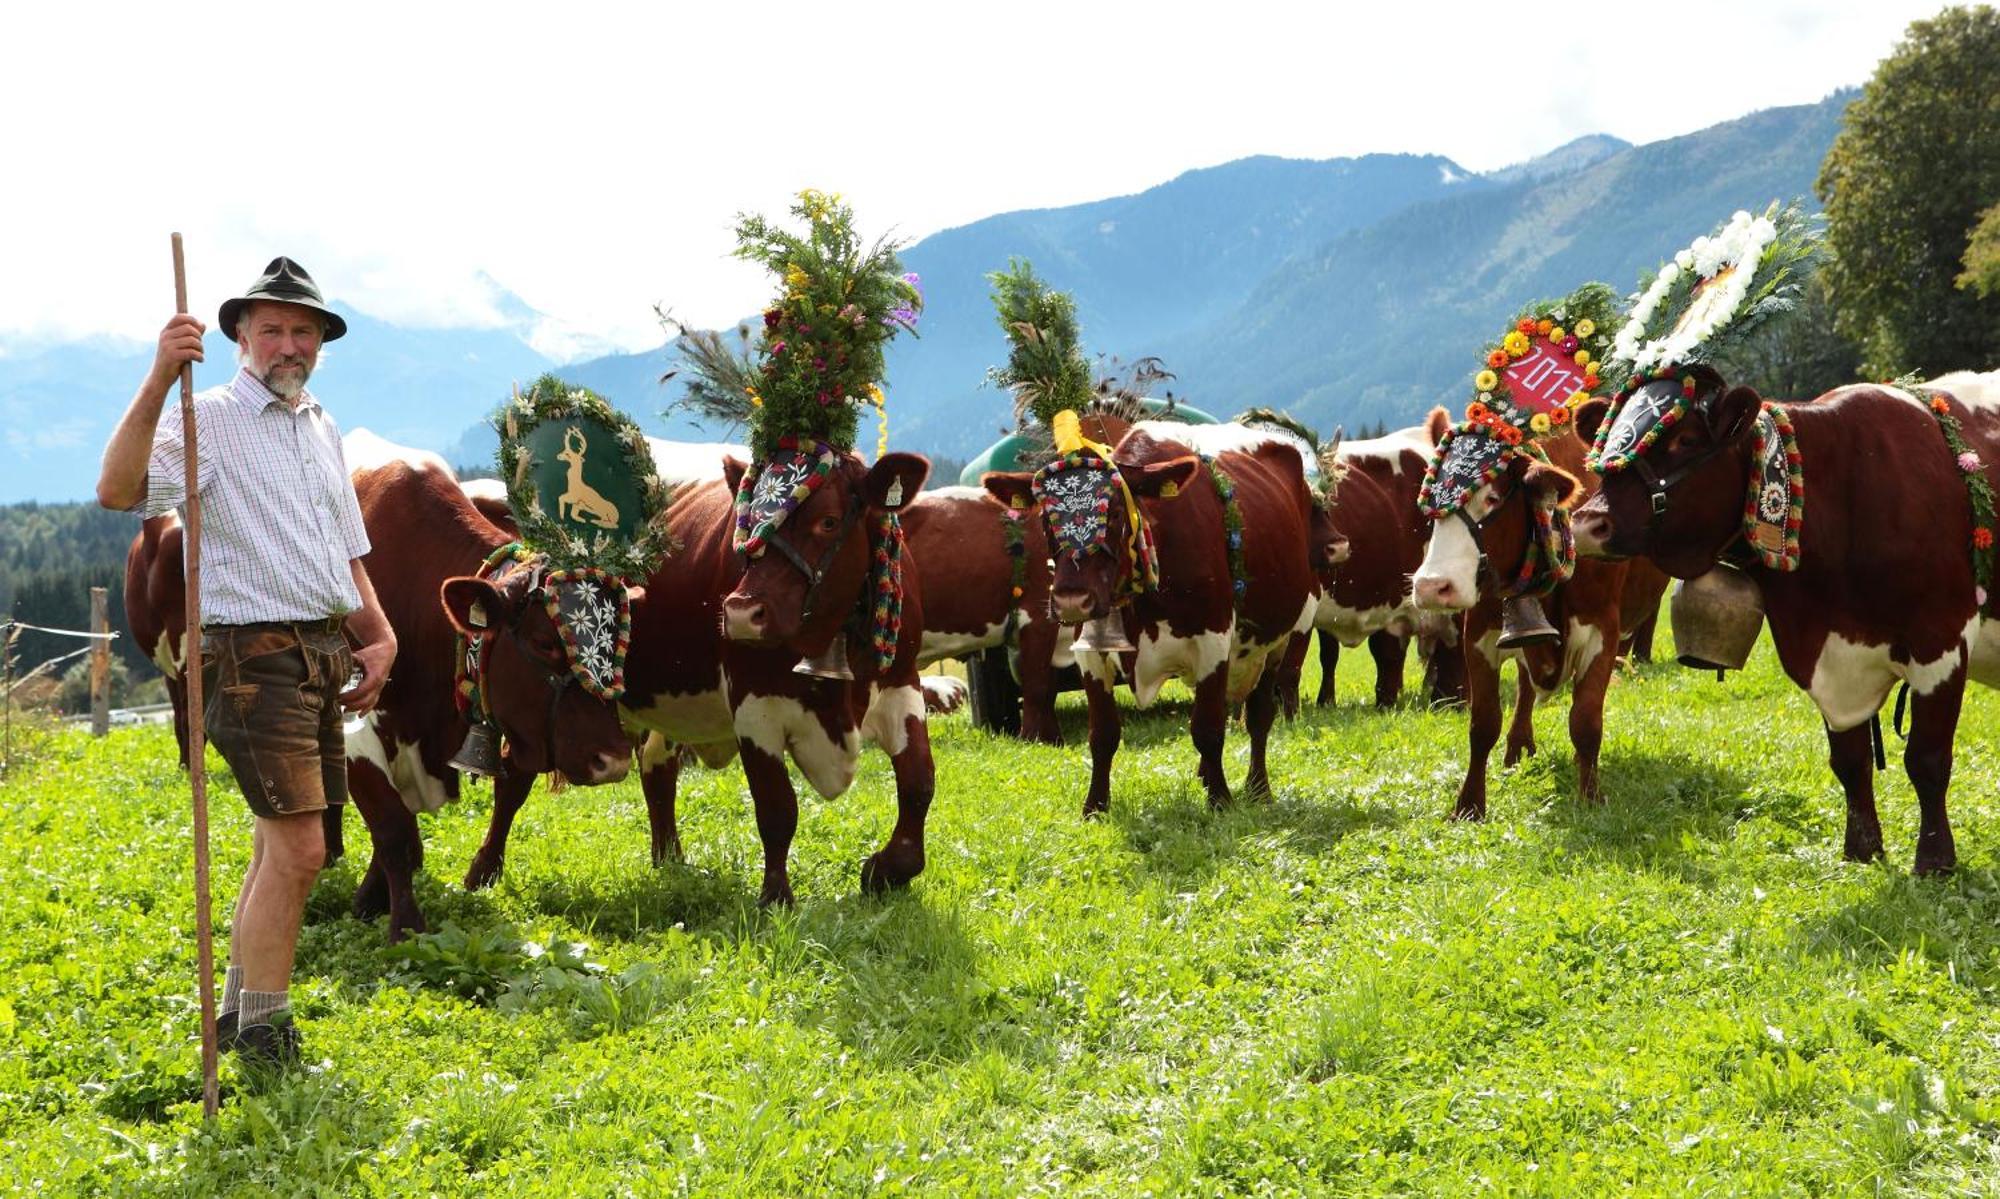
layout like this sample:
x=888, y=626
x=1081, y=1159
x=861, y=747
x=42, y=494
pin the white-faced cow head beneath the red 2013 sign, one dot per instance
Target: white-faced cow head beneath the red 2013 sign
x=1493, y=529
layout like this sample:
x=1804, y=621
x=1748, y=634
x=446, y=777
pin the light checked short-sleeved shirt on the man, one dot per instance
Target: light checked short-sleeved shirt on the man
x=279, y=513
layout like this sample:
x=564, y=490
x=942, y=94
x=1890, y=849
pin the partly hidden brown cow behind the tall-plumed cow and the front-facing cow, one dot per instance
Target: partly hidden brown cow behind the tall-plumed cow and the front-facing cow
x=961, y=541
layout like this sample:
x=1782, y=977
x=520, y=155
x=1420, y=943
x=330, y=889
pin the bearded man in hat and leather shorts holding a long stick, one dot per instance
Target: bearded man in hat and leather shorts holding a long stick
x=283, y=597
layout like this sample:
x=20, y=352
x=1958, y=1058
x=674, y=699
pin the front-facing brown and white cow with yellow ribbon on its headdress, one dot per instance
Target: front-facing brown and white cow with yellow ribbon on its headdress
x=1195, y=624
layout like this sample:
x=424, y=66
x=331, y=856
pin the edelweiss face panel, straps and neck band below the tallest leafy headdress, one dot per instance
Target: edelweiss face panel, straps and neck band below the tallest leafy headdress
x=769, y=495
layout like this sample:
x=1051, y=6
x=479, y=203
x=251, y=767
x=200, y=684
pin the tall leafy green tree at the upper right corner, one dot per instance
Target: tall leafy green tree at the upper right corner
x=1915, y=167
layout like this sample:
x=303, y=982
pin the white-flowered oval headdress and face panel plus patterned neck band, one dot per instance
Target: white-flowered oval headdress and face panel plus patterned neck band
x=1715, y=295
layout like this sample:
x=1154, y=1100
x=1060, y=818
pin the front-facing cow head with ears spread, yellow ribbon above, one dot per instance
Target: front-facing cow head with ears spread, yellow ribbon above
x=1091, y=529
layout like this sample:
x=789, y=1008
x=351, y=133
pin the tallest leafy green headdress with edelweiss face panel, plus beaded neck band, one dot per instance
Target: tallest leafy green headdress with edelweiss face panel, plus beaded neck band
x=803, y=383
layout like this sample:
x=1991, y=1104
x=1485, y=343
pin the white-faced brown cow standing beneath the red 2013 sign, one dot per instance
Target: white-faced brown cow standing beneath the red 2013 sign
x=1495, y=527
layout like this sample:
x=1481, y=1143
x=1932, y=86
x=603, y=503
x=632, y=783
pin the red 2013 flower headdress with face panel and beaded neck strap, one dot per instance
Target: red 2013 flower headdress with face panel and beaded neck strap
x=1527, y=391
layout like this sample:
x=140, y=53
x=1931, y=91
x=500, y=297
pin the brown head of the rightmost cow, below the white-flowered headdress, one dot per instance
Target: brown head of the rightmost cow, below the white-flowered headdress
x=1679, y=503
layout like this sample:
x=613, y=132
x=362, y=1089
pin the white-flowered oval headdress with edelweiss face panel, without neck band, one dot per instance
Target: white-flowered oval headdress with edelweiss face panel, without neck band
x=1707, y=299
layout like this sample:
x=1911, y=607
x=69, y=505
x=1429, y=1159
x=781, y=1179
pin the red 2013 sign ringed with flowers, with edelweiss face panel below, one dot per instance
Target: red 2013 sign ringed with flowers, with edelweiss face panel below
x=1527, y=389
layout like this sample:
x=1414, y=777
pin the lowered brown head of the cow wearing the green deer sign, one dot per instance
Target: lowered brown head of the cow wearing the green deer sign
x=529, y=680
